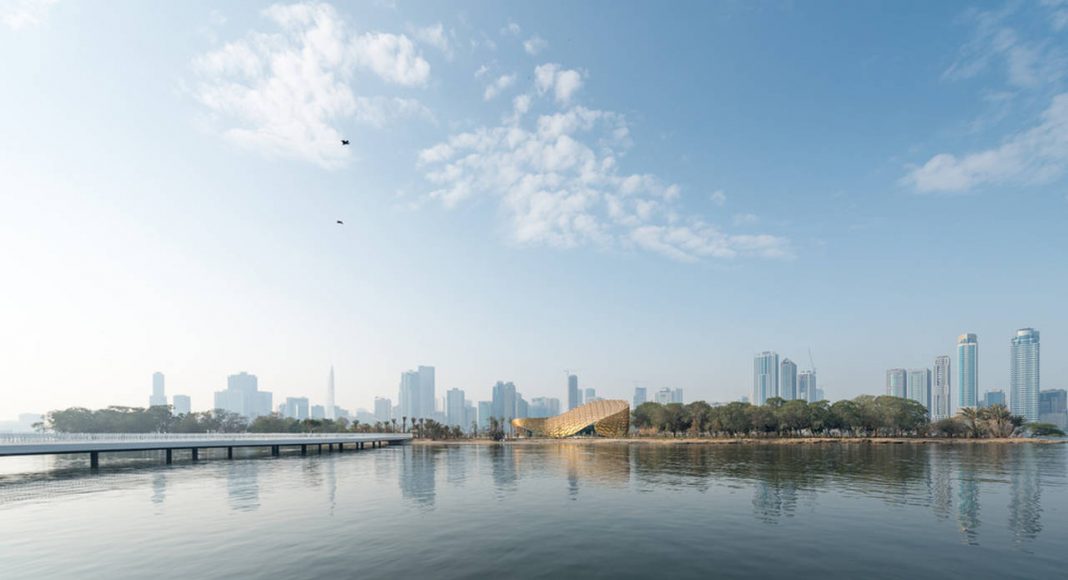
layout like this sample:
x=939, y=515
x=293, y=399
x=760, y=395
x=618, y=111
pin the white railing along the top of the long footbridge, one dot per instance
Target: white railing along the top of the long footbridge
x=32, y=438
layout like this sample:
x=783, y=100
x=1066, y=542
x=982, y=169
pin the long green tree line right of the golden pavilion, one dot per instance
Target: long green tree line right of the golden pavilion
x=866, y=416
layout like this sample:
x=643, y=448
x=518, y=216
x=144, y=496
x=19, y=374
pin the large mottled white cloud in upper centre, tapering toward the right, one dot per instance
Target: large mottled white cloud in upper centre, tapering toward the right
x=557, y=181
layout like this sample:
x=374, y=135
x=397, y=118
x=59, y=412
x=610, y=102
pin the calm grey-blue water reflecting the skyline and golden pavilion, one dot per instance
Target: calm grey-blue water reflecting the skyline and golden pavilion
x=553, y=511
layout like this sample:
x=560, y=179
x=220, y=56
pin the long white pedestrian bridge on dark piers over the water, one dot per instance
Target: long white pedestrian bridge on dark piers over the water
x=96, y=444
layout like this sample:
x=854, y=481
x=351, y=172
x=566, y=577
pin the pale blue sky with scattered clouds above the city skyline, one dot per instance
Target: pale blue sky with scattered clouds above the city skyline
x=638, y=193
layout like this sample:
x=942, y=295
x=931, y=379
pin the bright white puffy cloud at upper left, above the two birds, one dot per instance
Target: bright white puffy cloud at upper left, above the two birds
x=282, y=93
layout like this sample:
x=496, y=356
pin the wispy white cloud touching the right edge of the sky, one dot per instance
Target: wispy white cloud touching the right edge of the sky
x=1034, y=156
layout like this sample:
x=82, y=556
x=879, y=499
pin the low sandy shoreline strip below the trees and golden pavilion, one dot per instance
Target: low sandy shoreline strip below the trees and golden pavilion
x=747, y=442
